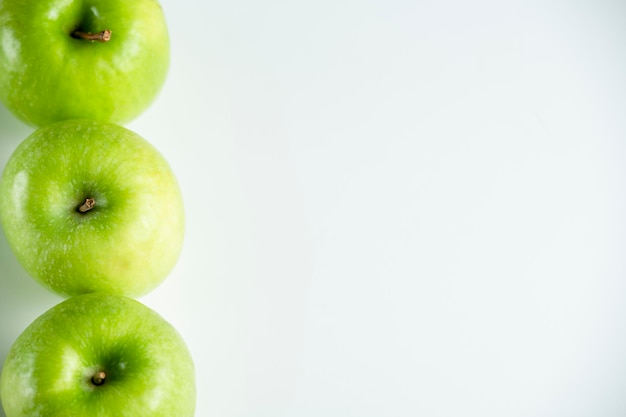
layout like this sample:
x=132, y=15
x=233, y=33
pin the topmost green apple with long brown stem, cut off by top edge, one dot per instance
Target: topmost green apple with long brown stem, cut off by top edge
x=67, y=59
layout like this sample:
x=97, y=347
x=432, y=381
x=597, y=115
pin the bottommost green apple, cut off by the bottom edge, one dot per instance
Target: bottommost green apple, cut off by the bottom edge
x=99, y=355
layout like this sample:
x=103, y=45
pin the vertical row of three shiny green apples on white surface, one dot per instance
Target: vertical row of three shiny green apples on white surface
x=91, y=210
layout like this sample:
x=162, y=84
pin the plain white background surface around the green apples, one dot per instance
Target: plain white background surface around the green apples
x=394, y=208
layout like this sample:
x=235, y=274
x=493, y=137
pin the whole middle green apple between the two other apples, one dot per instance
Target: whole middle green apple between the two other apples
x=88, y=206
